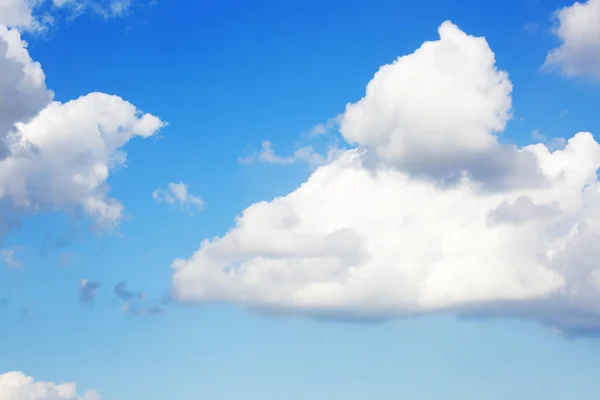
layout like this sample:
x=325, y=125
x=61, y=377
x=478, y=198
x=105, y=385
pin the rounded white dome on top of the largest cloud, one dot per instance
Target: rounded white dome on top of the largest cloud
x=441, y=118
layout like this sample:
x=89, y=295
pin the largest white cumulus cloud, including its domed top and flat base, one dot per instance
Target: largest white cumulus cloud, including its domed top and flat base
x=428, y=213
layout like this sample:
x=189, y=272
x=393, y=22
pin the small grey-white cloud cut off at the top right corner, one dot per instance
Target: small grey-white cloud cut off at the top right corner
x=578, y=29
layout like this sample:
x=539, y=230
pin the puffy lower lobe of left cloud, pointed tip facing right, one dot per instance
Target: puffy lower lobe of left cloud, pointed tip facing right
x=63, y=157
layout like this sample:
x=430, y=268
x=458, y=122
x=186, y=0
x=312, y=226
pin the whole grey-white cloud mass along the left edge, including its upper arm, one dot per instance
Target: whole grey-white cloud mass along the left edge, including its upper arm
x=58, y=156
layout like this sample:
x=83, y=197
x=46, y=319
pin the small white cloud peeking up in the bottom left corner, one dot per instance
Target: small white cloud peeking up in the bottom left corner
x=18, y=386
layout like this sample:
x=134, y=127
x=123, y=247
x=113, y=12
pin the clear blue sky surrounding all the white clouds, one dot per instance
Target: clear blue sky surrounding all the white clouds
x=226, y=76
